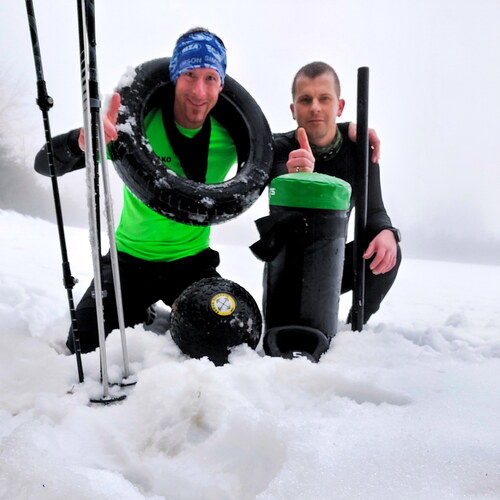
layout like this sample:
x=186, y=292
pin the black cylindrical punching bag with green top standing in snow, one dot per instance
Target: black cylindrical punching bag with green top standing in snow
x=303, y=244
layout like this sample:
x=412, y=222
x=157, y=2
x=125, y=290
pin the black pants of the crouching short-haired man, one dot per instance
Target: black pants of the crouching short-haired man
x=376, y=285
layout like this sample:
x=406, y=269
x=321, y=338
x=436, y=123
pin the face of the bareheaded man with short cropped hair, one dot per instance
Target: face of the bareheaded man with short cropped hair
x=316, y=107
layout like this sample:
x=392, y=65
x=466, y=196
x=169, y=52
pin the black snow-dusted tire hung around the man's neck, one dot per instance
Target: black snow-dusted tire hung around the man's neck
x=161, y=189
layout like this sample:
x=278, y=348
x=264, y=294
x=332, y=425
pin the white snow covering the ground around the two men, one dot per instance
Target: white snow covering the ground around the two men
x=407, y=409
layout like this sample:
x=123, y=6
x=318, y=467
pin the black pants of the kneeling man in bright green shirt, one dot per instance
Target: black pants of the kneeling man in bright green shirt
x=143, y=283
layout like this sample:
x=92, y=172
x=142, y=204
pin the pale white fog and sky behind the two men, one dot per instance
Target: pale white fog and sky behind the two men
x=434, y=97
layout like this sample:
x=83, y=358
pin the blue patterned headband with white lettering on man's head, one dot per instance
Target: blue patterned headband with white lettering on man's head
x=198, y=50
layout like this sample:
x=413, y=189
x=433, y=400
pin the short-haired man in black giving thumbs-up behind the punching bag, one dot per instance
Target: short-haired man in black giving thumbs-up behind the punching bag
x=321, y=145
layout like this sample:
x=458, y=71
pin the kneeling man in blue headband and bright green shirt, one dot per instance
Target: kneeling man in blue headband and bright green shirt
x=158, y=257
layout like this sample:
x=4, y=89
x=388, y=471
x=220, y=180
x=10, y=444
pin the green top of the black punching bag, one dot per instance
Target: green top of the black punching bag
x=310, y=190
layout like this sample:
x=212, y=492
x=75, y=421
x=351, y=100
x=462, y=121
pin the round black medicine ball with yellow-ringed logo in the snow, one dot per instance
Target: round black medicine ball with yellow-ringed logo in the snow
x=213, y=315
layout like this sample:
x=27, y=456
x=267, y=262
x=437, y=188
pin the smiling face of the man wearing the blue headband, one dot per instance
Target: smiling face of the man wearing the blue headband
x=196, y=93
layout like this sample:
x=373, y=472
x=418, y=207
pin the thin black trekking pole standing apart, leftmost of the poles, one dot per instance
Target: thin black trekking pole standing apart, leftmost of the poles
x=45, y=102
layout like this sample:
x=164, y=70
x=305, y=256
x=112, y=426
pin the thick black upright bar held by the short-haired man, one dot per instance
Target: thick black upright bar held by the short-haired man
x=358, y=296
